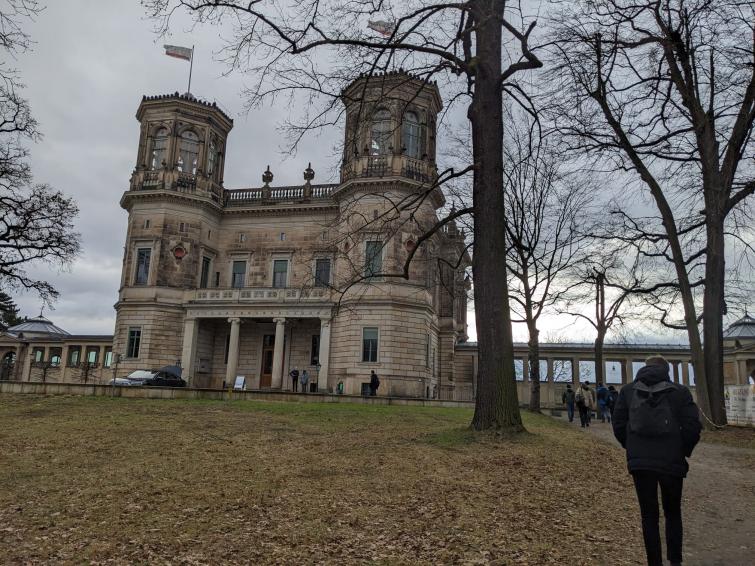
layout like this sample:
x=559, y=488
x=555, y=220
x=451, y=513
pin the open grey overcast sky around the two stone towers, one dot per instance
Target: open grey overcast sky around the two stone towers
x=92, y=62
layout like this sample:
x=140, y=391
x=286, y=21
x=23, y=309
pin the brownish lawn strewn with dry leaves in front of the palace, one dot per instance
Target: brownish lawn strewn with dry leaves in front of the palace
x=98, y=480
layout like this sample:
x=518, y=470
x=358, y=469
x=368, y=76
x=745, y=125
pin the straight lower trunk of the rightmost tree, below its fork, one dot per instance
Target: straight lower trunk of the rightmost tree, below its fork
x=713, y=307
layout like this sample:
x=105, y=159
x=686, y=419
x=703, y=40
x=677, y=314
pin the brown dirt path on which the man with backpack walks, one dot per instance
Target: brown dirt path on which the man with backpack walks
x=719, y=503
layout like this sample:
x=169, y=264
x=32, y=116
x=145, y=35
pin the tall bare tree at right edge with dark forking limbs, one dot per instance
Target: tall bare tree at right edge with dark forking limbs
x=665, y=90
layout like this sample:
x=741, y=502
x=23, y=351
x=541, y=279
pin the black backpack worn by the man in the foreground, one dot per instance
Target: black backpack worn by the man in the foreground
x=650, y=412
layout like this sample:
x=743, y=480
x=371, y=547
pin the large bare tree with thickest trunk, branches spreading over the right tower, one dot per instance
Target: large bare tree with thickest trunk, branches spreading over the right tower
x=460, y=43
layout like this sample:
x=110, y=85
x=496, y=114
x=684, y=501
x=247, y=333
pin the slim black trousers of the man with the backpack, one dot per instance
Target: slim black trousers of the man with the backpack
x=646, y=484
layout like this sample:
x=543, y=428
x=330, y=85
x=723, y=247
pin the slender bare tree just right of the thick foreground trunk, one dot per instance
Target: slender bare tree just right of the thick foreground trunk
x=546, y=217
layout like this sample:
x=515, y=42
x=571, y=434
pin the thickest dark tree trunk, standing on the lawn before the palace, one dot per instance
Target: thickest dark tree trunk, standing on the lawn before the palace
x=496, y=403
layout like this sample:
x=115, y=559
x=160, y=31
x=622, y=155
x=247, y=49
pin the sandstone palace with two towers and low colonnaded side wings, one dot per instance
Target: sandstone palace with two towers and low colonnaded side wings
x=254, y=282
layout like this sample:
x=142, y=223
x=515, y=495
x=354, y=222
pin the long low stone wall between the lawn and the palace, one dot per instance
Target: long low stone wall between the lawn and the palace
x=37, y=388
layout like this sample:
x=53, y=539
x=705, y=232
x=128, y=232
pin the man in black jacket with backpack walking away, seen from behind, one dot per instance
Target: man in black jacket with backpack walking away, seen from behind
x=658, y=424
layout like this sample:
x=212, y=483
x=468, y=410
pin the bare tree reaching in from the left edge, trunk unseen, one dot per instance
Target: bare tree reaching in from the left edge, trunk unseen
x=36, y=221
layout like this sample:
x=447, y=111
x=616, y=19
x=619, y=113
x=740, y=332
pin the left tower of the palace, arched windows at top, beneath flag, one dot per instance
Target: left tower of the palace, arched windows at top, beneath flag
x=174, y=206
